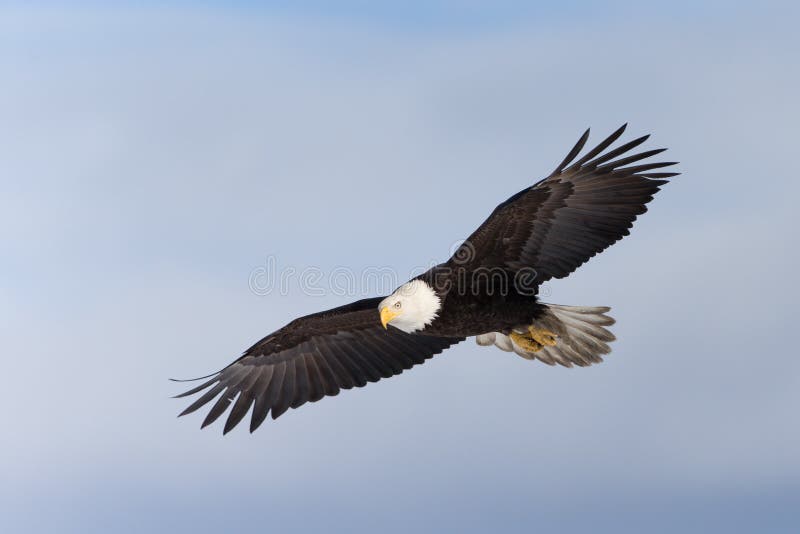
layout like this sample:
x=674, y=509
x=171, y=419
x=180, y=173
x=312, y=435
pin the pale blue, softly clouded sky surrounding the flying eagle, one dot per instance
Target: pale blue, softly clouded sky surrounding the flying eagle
x=152, y=156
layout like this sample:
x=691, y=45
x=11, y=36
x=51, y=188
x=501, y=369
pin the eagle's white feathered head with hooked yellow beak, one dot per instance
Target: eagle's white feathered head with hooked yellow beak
x=412, y=307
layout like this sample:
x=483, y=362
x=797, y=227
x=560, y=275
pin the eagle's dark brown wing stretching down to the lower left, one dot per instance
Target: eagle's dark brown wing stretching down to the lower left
x=310, y=358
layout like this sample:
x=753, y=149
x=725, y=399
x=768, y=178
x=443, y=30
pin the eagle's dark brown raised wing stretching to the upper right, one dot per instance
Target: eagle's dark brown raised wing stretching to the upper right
x=581, y=209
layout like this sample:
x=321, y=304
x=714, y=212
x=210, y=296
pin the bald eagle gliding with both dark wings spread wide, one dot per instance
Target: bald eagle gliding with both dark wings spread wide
x=487, y=289
